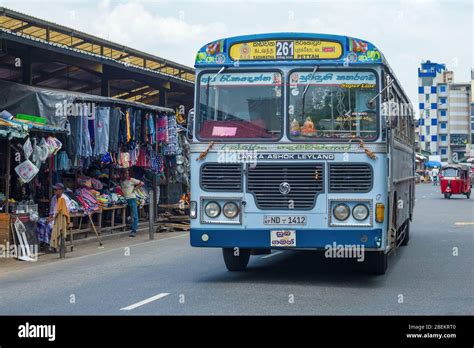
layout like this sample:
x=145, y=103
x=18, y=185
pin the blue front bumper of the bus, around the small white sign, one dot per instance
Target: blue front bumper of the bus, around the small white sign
x=305, y=238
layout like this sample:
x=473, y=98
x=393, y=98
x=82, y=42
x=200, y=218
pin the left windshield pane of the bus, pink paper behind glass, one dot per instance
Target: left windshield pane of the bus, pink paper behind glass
x=243, y=105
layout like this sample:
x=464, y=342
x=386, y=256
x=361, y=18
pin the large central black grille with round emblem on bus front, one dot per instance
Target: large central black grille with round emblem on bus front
x=269, y=183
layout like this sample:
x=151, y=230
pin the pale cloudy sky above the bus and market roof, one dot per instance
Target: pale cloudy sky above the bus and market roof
x=406, y=31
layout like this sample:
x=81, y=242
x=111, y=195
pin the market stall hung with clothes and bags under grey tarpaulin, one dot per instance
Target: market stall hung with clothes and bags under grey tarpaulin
x=83, y=144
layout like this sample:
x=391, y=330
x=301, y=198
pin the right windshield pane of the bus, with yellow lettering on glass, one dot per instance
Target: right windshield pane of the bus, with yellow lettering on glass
x=336, y=105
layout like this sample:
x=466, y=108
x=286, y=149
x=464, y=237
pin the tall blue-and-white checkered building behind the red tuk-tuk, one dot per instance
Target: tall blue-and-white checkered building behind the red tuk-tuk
x=445, y=121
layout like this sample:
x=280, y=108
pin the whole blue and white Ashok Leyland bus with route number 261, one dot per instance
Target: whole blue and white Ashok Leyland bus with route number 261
x=300, y=141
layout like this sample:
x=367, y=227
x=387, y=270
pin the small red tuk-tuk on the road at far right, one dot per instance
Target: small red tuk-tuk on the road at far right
x=455, y=180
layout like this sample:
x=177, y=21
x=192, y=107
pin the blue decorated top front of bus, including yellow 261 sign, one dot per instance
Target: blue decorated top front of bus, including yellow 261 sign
x=288, y=49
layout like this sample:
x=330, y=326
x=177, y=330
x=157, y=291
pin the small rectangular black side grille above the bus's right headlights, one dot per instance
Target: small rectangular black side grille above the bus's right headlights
x=350, y=178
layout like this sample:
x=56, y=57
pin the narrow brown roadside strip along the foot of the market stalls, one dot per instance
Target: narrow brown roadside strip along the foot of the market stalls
x=90, y=246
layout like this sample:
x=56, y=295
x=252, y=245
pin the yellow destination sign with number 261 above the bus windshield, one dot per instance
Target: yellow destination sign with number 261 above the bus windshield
x=285, y=50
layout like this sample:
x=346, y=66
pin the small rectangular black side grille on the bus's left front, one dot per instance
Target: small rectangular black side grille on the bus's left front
x=221, y=177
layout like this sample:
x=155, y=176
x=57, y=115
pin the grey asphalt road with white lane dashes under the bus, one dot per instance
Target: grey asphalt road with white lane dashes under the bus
x=432, y=275
